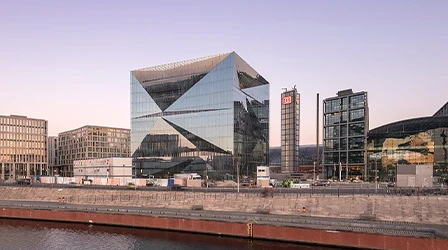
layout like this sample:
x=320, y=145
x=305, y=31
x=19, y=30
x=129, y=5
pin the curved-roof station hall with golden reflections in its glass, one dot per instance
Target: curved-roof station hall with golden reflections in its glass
x=414, y=141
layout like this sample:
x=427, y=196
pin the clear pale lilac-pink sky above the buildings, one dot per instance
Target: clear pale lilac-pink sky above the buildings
x=69, y=62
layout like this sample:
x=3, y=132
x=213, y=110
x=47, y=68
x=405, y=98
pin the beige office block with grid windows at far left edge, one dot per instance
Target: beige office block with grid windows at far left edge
x=23, y=147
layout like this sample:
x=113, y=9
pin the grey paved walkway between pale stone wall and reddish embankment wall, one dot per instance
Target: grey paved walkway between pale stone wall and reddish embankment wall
x=331, y=224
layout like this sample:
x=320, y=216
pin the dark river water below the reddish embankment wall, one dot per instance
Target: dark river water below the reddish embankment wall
x=24, y=234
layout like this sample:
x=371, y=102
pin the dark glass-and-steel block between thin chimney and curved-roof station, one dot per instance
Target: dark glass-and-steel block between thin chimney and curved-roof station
x=346, y=123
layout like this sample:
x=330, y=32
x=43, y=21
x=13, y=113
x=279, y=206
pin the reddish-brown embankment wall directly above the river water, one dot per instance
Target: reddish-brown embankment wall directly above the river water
x=256, y=231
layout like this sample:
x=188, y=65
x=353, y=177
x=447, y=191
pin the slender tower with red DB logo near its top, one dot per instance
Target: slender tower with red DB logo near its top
x=290, y=128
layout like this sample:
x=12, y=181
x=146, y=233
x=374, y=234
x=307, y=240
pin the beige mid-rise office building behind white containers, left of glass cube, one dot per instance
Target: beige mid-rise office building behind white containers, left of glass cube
x=89, y=142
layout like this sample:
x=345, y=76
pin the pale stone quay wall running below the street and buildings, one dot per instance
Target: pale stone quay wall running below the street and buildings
x=418, y=209
